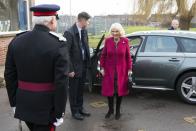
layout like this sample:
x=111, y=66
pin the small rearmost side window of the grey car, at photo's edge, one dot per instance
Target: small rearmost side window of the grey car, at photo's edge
x=189, y=45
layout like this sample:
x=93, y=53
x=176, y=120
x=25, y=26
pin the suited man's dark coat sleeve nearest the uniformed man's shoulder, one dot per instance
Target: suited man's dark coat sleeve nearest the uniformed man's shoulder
x=69, y=38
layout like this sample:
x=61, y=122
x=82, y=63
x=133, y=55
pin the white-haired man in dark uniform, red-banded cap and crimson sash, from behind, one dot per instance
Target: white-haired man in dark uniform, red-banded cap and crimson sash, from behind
x=36, y=72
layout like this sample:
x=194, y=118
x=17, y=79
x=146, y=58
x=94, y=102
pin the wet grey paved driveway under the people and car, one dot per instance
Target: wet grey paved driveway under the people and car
x=142, y=111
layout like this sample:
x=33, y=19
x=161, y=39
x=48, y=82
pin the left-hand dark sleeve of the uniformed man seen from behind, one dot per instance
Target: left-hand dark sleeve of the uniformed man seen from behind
x=10, y=75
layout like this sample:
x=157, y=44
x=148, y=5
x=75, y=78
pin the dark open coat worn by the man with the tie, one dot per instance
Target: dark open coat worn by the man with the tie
x=76, y=61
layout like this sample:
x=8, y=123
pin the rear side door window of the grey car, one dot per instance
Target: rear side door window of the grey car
x=161, y=44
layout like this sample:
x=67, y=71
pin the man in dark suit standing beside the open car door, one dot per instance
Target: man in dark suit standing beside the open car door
x=77, y=38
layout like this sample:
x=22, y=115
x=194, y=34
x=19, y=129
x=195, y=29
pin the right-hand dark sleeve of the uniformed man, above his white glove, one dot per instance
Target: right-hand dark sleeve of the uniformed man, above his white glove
x=61, y=67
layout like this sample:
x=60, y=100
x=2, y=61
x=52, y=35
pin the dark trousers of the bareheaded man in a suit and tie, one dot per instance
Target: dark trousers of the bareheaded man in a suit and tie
x=76, y=85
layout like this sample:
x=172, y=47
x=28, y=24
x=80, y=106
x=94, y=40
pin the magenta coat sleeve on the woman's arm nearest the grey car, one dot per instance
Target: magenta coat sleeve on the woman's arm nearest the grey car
x=128, y=55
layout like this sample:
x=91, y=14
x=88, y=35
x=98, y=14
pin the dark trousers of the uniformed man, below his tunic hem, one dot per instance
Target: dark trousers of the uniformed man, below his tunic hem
x=36, y=127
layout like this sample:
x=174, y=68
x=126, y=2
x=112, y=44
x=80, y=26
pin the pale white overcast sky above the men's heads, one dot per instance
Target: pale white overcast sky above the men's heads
x=93, y=7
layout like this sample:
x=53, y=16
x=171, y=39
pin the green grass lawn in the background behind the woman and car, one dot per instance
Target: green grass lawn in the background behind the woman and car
x=93, y=40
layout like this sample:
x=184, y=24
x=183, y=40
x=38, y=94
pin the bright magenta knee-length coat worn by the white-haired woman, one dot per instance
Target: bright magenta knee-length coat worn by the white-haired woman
x=123, y=62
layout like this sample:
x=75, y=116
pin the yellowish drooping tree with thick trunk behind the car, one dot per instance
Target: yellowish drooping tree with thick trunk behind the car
x=160, y=7
